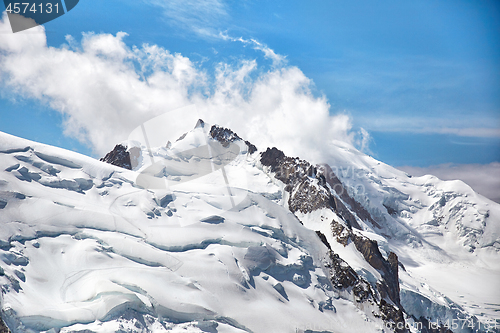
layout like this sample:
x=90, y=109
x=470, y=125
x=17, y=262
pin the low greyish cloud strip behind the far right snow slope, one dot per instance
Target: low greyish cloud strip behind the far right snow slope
x=483, y=178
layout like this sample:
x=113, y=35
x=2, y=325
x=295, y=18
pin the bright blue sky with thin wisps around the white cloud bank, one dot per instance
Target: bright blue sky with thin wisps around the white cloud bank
x=421, y=77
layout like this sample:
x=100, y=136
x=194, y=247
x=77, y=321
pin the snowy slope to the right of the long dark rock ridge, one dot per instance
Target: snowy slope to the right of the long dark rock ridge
x=446, y=236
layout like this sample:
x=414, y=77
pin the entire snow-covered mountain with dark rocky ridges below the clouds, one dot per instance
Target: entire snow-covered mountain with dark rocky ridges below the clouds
x=210, y=234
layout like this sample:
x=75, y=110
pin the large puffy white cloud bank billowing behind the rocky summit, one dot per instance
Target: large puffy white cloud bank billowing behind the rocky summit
x=105, y=89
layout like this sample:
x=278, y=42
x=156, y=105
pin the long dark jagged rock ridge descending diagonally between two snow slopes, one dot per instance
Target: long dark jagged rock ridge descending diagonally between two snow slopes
x=308, y=191
